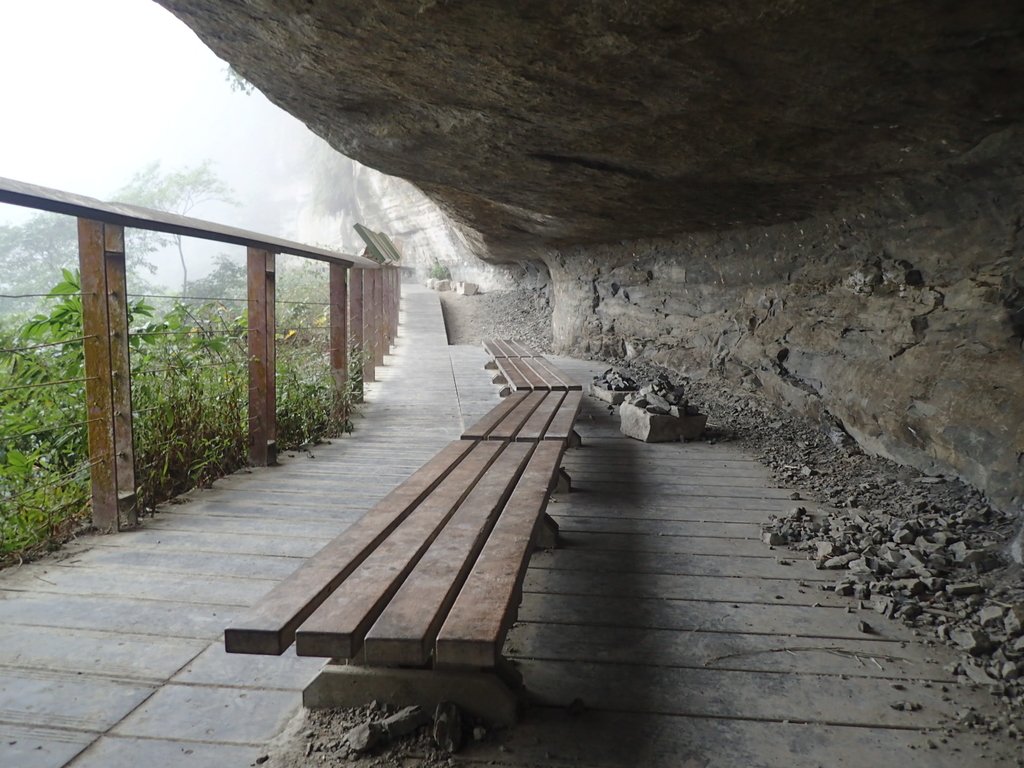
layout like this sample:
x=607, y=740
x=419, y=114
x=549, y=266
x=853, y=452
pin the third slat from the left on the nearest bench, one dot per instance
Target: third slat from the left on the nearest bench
x=406, y=632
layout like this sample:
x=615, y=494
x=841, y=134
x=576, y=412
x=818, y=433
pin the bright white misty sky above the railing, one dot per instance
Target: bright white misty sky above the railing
x=95, y=91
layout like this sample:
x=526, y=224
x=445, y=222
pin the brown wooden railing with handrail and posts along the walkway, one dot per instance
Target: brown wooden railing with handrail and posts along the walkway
x=365, y=296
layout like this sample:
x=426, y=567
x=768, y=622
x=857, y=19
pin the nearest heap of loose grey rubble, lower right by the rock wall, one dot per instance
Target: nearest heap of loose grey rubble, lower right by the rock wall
x=930, y=571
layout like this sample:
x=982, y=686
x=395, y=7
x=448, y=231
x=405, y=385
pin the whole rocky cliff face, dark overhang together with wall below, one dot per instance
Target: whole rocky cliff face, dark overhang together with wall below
x=822, y=201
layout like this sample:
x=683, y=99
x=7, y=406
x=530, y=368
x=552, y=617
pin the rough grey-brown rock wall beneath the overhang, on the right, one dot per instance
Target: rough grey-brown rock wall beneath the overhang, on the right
x=903, y=319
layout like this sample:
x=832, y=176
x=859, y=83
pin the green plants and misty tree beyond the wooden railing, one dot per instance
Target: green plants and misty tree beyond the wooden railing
x=189, y=363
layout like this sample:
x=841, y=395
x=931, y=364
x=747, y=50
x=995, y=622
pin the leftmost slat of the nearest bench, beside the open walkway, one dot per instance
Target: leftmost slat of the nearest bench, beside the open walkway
x=270, y=626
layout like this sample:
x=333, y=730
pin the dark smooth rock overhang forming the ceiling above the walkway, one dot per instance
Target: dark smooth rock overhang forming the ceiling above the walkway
x=541, y=125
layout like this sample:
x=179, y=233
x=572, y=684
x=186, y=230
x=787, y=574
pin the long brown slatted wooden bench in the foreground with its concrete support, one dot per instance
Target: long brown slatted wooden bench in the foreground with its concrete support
x=418, y=595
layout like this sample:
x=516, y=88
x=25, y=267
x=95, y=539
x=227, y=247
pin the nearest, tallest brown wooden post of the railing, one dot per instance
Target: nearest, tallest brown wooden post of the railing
x=108, y=374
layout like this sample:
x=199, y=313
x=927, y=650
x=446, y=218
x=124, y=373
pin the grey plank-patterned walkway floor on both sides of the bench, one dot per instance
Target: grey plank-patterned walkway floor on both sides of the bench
x=687, y=642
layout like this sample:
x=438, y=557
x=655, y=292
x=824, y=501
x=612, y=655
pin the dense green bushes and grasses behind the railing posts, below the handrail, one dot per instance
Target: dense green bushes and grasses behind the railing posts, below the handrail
x=190, y=400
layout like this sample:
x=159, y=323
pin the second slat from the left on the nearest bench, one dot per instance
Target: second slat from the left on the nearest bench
x=337, y=628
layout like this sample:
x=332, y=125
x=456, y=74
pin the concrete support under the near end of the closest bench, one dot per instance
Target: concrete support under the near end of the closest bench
x=491, y=695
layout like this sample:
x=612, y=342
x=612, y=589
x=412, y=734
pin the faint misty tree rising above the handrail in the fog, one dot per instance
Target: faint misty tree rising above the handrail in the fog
x=177, y=192
